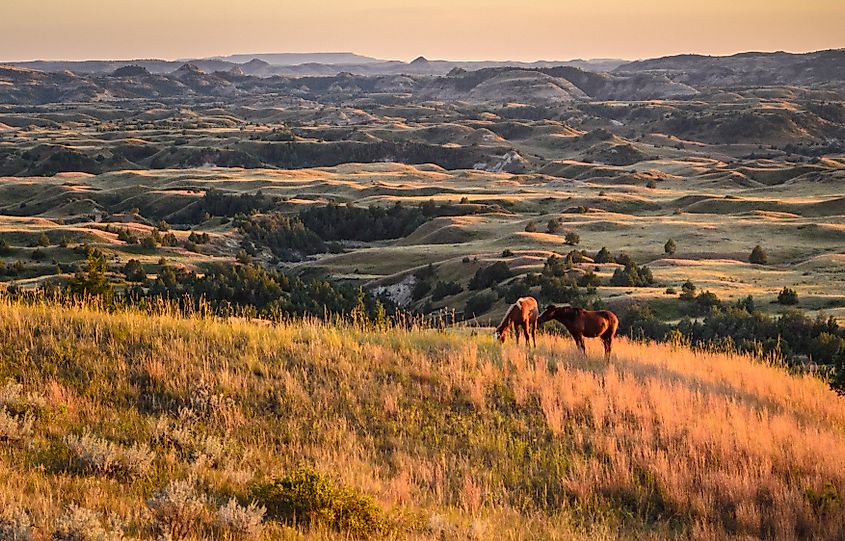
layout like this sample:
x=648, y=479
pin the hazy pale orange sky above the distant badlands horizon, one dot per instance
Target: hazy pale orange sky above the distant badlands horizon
x=404, y=29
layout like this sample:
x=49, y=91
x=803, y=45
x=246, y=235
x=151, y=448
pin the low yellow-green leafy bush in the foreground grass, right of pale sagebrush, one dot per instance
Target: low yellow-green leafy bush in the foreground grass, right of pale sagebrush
x=306, y=496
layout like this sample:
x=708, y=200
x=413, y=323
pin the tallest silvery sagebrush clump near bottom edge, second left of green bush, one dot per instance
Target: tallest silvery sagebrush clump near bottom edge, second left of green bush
x=178, y=509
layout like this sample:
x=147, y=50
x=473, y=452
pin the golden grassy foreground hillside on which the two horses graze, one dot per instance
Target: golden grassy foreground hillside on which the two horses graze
x=152, y=423
